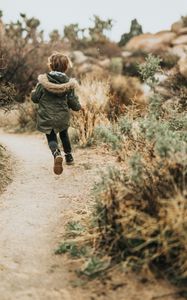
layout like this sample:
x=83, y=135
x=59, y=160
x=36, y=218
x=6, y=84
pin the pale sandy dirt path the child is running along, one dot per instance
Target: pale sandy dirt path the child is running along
x=30, y=210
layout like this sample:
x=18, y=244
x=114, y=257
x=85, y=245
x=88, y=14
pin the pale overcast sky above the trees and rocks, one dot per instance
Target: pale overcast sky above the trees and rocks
x=153, y=15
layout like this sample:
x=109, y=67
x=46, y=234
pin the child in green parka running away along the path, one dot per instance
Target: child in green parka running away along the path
x=55, y=96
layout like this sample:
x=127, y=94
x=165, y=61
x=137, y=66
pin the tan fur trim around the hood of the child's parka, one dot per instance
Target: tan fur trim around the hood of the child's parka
x=57, y=88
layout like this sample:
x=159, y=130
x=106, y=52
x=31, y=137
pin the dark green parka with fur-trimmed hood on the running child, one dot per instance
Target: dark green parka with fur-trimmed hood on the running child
x=55, y=96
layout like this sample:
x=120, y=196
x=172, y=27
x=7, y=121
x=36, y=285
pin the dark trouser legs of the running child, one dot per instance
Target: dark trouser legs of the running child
x=64, y=137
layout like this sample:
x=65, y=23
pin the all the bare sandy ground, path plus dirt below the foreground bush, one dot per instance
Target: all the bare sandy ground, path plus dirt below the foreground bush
x=33, y=210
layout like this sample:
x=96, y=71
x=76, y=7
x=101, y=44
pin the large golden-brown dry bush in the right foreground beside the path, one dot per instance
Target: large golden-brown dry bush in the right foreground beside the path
x=144, y=222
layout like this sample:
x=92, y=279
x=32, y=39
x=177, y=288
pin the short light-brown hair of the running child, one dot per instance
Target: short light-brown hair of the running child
x=59, y=62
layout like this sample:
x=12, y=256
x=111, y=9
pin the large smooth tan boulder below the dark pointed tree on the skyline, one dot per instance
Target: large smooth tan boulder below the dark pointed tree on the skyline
x=151, y=42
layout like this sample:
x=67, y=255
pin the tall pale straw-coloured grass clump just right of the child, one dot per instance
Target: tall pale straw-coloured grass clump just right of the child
x=94, y=95
